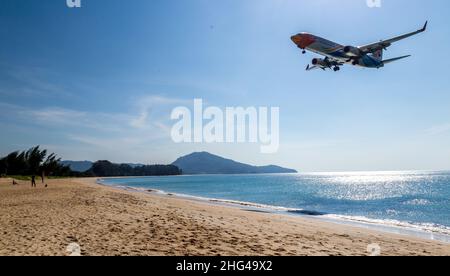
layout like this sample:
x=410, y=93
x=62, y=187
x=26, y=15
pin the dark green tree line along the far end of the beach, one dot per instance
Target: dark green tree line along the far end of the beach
x=37, y=162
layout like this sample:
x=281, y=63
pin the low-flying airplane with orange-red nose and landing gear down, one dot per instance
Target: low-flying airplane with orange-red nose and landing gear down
x=336, y=55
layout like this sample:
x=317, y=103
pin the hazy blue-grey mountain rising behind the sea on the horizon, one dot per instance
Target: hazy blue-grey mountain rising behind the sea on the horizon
x=206, y=163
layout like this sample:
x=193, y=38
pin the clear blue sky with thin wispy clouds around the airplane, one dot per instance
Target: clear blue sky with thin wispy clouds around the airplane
x=100, y=81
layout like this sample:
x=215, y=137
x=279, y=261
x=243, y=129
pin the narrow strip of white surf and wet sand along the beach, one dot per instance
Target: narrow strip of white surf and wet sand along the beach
x=396, y=227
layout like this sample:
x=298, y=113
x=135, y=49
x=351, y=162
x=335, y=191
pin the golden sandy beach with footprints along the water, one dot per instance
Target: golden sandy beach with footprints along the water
x=108, y=221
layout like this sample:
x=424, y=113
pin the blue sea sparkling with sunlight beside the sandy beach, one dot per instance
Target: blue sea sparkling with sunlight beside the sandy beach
x=410, y=202
